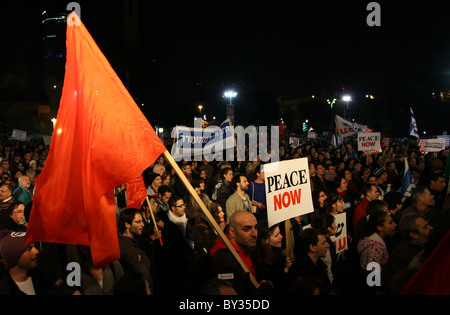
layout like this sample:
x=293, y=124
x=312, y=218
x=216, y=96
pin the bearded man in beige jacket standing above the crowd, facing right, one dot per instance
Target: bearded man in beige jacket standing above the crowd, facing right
x=239, y=200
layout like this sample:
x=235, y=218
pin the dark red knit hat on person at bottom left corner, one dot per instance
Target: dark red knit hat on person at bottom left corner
x=12, y=246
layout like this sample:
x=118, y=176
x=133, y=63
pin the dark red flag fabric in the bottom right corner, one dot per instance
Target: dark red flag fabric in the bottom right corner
x=433, y=277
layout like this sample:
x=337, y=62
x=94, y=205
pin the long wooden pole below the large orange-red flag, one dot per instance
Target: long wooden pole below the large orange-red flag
x=208, y=215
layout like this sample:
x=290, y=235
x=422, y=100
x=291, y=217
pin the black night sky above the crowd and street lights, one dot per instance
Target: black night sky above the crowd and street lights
x=191, y=51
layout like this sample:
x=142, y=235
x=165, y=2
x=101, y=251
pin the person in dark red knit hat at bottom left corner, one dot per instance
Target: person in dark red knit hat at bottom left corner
x=20, y=259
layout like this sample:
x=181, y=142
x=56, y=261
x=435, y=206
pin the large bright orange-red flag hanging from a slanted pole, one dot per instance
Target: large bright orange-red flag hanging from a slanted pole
x=101, y=140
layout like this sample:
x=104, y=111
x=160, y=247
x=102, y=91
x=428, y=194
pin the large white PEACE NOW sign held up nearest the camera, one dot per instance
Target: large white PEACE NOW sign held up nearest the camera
x=288, y=190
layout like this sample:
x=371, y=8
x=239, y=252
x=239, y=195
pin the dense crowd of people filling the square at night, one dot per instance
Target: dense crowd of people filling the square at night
x=169, y=246
